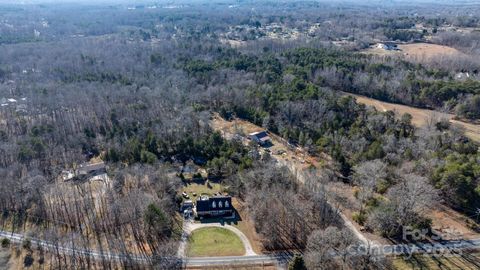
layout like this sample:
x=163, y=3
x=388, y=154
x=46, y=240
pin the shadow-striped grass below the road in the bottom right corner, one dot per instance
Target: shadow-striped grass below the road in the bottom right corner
x=450, y=262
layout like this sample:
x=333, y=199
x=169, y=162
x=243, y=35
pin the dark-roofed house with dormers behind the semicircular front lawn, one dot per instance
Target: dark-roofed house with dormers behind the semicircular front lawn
x=214, y=206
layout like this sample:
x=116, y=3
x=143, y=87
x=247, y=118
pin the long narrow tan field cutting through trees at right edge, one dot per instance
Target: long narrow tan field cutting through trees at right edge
x=422, y=117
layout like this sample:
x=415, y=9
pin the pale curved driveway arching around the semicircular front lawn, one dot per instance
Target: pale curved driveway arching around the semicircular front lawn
x=189, y=227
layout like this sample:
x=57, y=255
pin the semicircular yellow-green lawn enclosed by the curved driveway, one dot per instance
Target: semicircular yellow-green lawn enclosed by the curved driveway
x=206, y=242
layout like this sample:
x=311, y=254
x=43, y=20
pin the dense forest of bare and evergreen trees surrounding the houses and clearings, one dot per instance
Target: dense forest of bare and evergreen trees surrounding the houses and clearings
x=136, y=87
